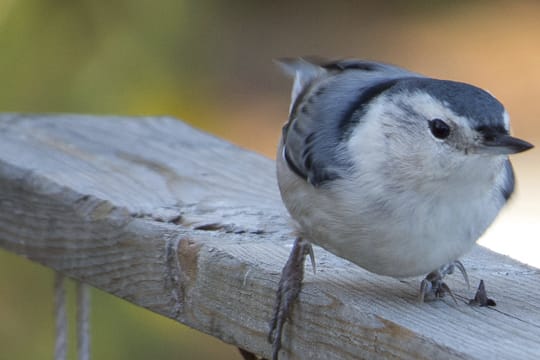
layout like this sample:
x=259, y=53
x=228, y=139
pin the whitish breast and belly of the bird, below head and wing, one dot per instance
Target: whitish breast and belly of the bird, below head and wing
x=398, y=234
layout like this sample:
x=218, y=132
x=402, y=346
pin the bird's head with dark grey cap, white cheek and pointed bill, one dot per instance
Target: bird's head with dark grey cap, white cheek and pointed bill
x=425, y=129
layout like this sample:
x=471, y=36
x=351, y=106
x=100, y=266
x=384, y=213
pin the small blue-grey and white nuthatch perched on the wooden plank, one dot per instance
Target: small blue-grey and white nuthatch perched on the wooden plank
x=394, y=171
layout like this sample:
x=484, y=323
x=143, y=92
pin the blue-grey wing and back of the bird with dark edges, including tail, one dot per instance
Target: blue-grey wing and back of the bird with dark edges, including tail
x=328, y=100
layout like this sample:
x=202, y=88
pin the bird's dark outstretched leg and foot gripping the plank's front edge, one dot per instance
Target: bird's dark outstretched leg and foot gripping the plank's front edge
x=288, y=290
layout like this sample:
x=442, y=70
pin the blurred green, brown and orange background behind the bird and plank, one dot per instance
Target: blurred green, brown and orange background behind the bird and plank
x=209, y=63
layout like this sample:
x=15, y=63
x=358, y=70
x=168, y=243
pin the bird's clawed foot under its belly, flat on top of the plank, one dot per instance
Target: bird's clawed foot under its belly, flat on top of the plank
x=433, y=287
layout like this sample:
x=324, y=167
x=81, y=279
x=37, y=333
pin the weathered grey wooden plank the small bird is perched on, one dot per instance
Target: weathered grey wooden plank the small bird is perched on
x=192, y=227
